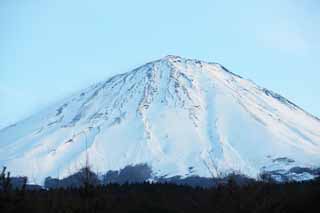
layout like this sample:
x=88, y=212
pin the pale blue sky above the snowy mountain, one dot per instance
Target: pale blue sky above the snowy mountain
x=51, y=48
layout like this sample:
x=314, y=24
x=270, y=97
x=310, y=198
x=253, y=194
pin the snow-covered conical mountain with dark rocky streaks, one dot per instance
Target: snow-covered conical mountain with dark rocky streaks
x=180, y=116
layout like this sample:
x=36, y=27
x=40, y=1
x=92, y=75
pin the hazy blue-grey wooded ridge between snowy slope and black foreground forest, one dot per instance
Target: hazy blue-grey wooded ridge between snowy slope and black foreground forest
x=138, y=174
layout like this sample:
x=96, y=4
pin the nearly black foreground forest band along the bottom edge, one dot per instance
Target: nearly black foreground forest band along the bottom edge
x=167, y=197
